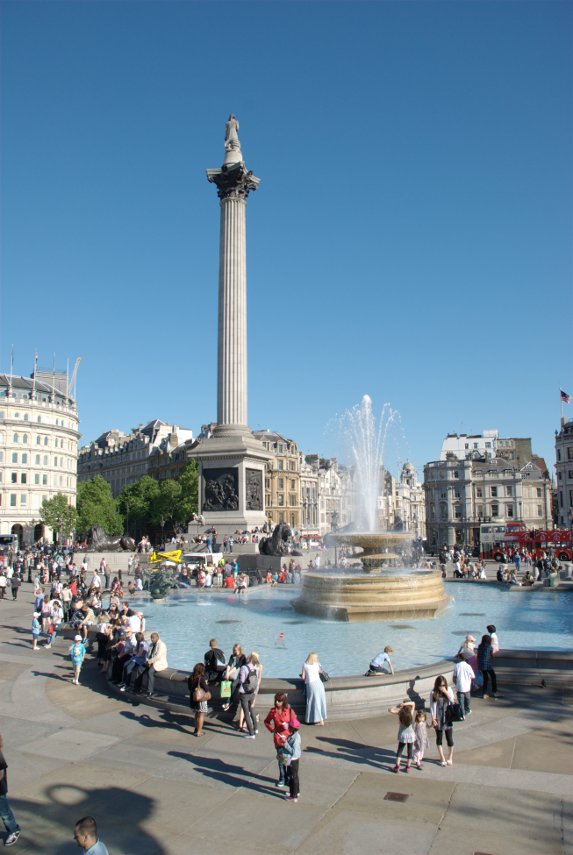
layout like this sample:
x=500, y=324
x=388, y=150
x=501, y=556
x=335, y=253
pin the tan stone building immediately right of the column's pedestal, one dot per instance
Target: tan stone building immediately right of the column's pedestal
x=282, y=479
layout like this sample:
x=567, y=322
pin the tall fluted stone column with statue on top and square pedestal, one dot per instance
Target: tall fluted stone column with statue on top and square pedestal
x=232, y=462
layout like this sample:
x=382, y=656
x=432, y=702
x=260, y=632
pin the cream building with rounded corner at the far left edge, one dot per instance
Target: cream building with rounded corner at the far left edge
x=38, y=449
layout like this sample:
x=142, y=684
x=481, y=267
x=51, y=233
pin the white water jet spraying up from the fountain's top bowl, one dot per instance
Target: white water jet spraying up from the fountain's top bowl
x=366, y=444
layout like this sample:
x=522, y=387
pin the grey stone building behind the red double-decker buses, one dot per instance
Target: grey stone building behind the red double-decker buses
x=463, y=494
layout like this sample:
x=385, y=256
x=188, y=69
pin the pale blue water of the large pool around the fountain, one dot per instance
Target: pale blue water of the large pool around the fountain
x=540, y=620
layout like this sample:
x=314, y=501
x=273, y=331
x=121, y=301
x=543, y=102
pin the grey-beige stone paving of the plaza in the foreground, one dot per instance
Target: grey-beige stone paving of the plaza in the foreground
x=156, y=790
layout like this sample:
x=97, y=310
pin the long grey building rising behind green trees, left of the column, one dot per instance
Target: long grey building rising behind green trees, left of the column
x=157, y=449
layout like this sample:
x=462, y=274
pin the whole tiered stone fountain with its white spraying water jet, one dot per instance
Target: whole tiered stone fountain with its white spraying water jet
x=375, y=590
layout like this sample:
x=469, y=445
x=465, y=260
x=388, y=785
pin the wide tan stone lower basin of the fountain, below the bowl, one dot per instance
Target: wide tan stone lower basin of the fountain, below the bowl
x=362, y=597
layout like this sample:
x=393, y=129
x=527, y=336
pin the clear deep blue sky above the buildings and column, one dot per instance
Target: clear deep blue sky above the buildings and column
x=411, y=237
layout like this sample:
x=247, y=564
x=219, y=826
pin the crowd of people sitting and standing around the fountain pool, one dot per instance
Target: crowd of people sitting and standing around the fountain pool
x=65, y=594
